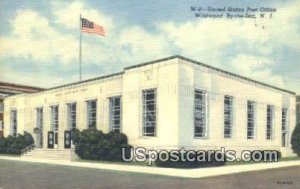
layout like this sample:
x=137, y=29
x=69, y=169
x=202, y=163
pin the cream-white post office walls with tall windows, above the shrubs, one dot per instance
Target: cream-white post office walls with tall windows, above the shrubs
x=164, y=104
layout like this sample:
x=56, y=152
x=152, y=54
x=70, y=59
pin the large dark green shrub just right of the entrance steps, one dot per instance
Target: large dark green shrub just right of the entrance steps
x=93, y=144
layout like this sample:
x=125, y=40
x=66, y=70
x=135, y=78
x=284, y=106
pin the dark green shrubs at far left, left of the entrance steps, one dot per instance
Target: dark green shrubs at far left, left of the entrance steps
x=14, y=145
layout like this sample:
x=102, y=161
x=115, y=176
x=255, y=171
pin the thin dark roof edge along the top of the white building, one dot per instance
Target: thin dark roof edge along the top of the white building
x=170, y=58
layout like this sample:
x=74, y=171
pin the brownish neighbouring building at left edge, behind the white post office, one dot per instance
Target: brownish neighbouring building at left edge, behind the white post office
x=7, y=89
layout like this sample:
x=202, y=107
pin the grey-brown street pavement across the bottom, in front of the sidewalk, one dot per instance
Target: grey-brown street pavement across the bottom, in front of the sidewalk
x=28, y=175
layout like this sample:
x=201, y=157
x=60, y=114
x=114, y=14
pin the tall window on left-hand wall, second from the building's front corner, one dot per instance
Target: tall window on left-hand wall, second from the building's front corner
x=115, y=114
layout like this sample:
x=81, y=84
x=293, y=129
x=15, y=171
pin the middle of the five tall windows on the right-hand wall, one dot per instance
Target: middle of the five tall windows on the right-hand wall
x=250, y=119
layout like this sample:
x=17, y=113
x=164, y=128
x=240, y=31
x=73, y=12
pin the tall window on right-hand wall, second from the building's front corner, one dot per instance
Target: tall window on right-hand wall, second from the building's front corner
x=228, y=116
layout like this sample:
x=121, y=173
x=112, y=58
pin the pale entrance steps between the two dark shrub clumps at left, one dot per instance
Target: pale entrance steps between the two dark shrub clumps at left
x=51, y=154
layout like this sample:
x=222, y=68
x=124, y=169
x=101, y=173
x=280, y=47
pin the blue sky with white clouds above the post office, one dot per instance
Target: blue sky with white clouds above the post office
x=39, y=39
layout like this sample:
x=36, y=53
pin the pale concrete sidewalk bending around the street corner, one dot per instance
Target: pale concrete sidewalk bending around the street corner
x=186, y=173
